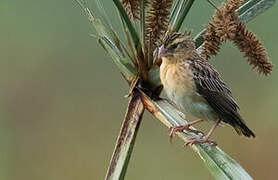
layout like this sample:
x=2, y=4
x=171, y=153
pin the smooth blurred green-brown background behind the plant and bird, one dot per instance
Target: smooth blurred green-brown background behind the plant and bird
x=62, y=100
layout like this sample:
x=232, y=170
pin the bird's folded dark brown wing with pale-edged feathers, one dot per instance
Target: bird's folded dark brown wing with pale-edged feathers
x=210, y=86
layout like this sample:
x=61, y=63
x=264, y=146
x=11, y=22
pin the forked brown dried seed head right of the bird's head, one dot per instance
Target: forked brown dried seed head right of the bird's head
x=226, y=26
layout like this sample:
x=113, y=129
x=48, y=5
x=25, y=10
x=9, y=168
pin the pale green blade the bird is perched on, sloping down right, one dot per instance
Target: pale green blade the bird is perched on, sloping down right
x=220, y=165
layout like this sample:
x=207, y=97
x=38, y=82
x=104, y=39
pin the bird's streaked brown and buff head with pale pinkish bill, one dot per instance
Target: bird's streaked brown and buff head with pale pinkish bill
x=176, y=46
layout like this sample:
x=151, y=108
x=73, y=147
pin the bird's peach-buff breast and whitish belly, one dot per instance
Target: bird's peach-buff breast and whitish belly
x=180, y=89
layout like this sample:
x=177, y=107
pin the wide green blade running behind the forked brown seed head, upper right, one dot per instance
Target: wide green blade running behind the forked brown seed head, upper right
x=248, y=11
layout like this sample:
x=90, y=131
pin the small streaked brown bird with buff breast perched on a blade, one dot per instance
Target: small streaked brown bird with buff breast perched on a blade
x=196, y=87
